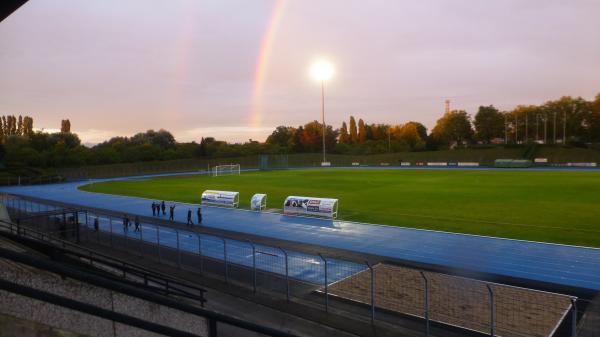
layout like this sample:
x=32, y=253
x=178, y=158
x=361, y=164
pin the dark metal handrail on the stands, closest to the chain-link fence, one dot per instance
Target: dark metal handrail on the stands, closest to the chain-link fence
x=169, y=280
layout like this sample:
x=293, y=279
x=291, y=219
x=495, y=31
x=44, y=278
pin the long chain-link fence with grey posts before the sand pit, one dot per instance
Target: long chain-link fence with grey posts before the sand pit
x=383, y=291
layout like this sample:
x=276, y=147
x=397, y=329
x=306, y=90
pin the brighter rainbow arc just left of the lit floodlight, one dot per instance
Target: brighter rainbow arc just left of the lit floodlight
x=266, y=47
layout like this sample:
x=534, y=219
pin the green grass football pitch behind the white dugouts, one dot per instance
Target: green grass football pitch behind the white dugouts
x=550, y=206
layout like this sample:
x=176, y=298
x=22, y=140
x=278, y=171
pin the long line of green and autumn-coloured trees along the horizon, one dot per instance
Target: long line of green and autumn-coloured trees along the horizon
x=570, y=121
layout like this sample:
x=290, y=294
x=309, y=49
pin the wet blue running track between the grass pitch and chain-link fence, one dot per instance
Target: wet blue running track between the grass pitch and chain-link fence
x=563, y=265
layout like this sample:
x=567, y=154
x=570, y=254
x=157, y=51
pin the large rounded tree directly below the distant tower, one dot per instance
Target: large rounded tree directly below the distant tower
x=454, y=128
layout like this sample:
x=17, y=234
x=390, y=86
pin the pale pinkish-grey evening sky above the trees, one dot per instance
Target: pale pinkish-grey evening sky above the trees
x=236, y=69
